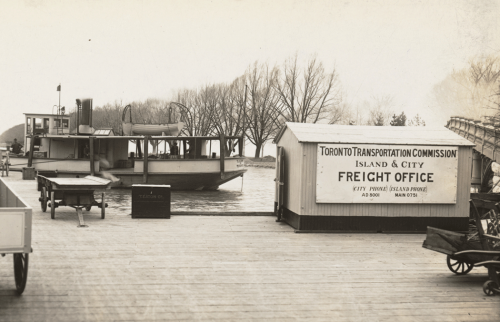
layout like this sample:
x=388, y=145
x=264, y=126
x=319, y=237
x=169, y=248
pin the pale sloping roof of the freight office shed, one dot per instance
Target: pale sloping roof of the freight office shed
x=403, y=135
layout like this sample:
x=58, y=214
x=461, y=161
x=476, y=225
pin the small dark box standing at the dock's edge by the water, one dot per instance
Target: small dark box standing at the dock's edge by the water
x=150, y=201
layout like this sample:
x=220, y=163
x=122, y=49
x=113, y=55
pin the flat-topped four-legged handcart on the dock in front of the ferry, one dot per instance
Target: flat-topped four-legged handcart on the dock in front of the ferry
x=77, y=193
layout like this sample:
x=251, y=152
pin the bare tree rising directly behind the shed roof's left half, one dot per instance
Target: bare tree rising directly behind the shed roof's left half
x=307, y=96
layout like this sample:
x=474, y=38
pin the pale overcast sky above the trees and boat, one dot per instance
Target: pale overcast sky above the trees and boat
x=133, y=50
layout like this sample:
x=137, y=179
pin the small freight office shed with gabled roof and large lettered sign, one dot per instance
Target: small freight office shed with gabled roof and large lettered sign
x=372, y=179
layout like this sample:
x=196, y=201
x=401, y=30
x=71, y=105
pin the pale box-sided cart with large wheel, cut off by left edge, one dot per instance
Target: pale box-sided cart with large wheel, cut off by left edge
x=15, y=233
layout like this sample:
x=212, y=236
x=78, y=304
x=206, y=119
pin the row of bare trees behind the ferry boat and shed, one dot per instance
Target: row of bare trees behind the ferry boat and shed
x=255, y=104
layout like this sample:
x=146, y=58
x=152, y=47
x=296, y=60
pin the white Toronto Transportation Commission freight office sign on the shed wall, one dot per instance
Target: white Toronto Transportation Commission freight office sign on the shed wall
x=358, y=173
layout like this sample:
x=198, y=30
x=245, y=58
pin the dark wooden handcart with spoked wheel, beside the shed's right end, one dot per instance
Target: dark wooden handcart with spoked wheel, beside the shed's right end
x=464, y=254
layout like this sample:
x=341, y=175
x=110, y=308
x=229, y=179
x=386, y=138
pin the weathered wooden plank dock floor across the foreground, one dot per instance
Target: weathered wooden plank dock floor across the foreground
x=229, y=268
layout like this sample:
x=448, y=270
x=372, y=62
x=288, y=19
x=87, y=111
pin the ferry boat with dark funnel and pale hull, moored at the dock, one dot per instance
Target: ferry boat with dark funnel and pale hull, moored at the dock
x=52, y=146
